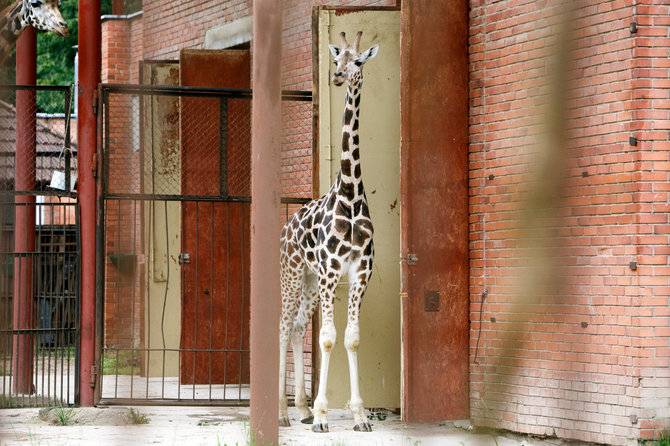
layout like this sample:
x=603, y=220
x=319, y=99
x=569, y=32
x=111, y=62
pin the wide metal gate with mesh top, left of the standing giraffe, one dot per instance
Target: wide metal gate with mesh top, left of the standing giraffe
x=174, y=240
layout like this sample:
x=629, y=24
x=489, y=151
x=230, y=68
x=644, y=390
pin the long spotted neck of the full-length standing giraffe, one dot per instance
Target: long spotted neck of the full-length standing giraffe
x=350, y=179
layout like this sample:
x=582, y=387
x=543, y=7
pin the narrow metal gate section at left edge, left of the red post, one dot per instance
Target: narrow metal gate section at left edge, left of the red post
x=39, y=250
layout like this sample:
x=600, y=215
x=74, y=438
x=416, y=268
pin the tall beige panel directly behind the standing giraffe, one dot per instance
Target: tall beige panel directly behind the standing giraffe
x=379, y=353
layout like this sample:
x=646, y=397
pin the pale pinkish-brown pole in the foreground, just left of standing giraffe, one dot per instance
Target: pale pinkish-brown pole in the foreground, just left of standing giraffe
x=265, y=220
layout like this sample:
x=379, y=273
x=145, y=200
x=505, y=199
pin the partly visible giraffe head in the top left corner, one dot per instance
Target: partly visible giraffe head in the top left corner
x=42, y=14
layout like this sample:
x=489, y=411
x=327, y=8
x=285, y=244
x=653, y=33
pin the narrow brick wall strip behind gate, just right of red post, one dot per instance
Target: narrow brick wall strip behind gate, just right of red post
x=120, y=38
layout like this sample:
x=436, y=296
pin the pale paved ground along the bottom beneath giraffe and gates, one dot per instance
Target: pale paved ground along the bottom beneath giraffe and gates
x=218, y=426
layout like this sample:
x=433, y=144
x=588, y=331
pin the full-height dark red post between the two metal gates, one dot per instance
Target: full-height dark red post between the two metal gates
x=89, y=77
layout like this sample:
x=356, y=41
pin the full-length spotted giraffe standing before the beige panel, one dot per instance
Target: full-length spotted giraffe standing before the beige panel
x=323, y=241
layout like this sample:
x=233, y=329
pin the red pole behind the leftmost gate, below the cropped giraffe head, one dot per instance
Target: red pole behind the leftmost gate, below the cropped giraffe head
x=24, y=222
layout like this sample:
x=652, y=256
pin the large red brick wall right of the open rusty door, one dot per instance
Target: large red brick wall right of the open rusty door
x=573, y=342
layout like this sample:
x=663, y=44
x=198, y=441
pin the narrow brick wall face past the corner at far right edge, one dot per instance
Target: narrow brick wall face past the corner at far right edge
x=651, y=115
